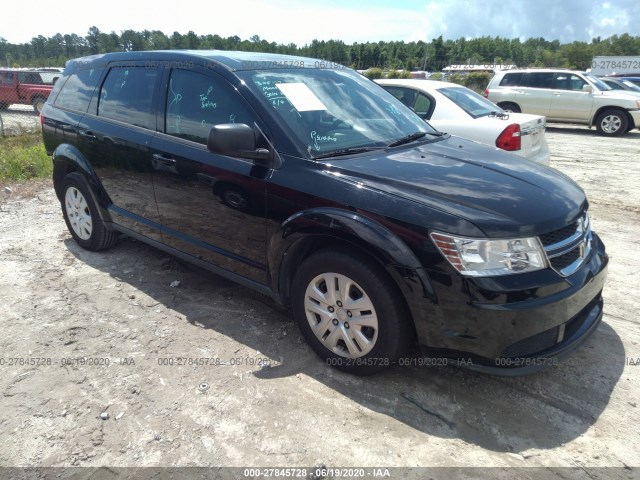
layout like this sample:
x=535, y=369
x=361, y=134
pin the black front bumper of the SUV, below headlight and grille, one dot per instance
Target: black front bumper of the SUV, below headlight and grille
x=516, y=324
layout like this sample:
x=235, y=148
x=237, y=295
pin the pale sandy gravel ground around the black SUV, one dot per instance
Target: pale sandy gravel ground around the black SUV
x=117, y=322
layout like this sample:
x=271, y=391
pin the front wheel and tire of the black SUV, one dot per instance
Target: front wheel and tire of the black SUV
x=371, y=348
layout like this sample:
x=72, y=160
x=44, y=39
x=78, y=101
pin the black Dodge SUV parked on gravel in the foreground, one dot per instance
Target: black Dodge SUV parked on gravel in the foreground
x=309, y=183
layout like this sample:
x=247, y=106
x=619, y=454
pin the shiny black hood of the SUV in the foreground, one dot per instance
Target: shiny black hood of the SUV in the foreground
x=501, y=194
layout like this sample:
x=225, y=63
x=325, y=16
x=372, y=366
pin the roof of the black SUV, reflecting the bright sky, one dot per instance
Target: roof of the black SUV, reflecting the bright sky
x=233, y=60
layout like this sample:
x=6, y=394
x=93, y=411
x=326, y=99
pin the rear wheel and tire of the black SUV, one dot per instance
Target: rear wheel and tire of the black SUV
x=81, y=215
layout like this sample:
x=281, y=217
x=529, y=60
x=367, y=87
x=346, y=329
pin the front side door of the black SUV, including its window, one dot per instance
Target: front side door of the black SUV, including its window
x=211, y=206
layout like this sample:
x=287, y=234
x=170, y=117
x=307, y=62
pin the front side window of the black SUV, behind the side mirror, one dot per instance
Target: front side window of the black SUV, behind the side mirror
x=195, y=102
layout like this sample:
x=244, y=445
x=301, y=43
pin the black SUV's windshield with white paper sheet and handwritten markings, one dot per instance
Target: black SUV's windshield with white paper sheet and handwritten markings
x=335, y=110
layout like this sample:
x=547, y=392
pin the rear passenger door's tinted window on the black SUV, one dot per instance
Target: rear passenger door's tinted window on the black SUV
x=127, y=95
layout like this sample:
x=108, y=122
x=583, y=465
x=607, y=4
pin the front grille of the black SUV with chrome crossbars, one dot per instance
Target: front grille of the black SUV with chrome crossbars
x=568, y=247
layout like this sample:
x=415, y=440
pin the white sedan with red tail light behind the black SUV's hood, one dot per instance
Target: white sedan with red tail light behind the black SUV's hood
x=462, y=112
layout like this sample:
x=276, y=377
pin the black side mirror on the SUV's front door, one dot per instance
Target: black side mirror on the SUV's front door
x=236, y=140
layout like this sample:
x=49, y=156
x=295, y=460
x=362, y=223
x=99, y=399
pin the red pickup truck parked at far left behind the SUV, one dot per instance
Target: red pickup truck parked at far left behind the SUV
x=29, y=87
